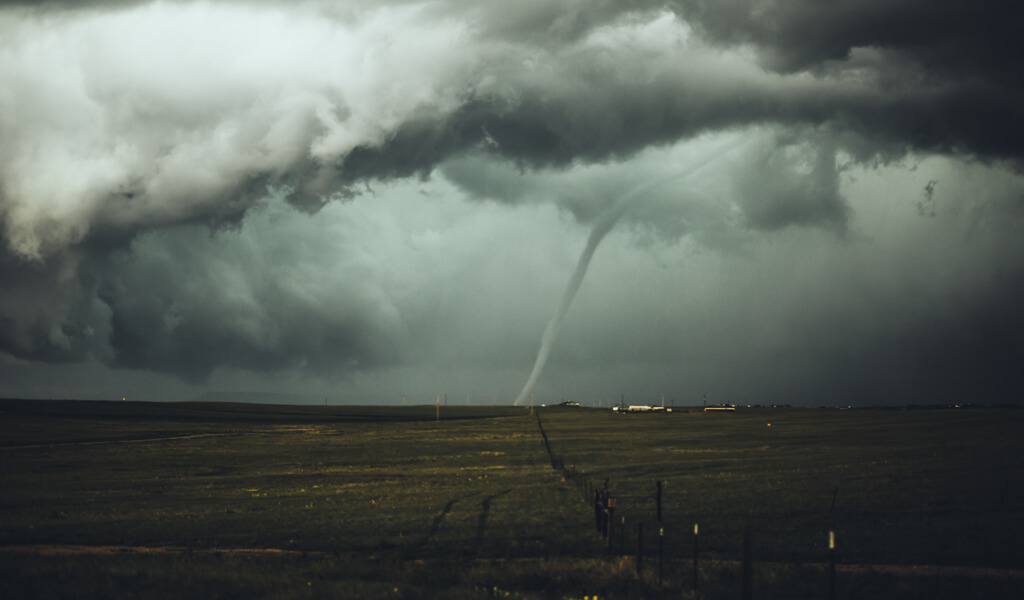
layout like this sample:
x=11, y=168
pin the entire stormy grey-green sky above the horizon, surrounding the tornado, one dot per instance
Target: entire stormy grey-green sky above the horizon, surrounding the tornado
x=368, y=201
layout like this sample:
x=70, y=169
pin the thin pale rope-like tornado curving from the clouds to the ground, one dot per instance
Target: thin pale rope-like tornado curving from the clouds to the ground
x=606, y=223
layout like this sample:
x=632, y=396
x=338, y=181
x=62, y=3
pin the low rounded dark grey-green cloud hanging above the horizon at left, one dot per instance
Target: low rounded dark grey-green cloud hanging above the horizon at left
x=187, y=305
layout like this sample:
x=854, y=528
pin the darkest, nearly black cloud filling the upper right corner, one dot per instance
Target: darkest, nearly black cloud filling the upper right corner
x=962, y=58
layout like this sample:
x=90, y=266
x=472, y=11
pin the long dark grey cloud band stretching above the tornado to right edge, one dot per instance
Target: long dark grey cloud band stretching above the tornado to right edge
x=585, y=107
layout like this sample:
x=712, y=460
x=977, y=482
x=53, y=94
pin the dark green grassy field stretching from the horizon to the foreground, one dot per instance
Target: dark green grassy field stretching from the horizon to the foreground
x=138, y=500
